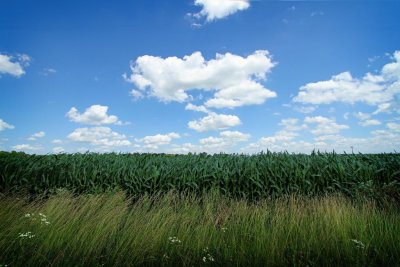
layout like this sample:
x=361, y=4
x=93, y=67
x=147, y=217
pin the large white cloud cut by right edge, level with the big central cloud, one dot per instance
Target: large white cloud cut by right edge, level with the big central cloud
x=381, y=90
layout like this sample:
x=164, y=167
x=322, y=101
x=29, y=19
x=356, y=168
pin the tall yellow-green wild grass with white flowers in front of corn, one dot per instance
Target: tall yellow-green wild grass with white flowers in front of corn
x=185, y=230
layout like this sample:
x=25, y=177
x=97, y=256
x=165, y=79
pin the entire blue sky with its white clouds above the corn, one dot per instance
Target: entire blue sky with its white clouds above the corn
x=199, y=75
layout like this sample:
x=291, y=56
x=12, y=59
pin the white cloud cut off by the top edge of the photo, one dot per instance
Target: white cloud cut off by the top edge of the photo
x=218, y=9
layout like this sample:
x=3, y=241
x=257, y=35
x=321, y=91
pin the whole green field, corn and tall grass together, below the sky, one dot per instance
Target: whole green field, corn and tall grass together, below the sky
x=270, y=209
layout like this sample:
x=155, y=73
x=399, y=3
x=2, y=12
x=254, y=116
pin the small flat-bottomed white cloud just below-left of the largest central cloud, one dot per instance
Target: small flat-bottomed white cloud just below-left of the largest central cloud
x=94, y=115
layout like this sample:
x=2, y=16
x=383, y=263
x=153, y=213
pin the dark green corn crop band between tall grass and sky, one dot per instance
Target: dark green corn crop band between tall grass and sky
x=252, y=177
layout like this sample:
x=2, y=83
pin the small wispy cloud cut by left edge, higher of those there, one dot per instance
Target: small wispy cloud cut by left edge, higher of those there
x=13, y=66
